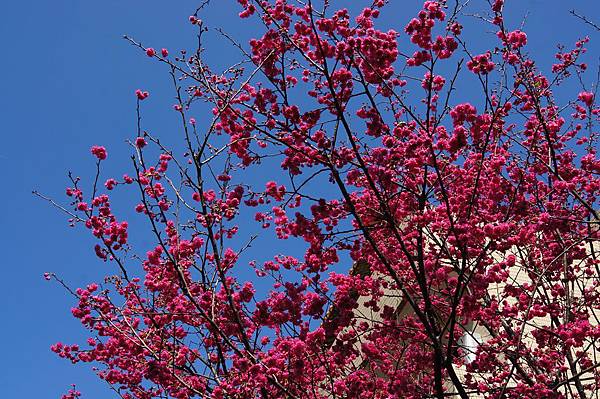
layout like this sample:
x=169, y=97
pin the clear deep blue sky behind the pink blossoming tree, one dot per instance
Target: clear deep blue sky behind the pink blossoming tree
x=66, y=83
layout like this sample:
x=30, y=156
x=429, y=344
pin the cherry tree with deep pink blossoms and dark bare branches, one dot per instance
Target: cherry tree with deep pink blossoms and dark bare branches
x=444, y=241
